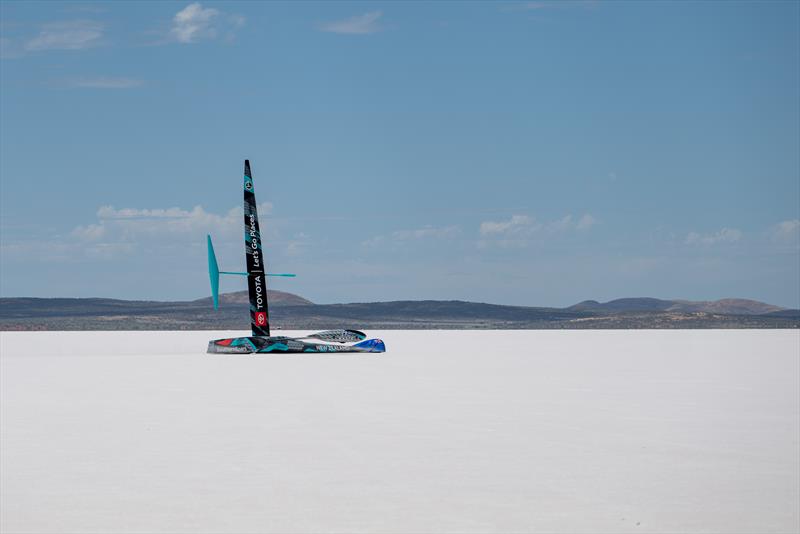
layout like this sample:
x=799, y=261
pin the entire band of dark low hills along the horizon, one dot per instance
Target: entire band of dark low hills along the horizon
x=288, y=310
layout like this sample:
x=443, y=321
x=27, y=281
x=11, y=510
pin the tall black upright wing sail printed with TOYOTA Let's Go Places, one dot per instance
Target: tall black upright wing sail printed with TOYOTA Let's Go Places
x=256, y=279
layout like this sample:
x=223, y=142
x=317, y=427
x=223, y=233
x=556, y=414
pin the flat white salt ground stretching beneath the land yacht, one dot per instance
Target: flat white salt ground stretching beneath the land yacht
x=491, y=431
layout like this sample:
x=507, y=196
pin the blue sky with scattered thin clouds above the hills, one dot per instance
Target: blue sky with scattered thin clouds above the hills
x=536, y=153
